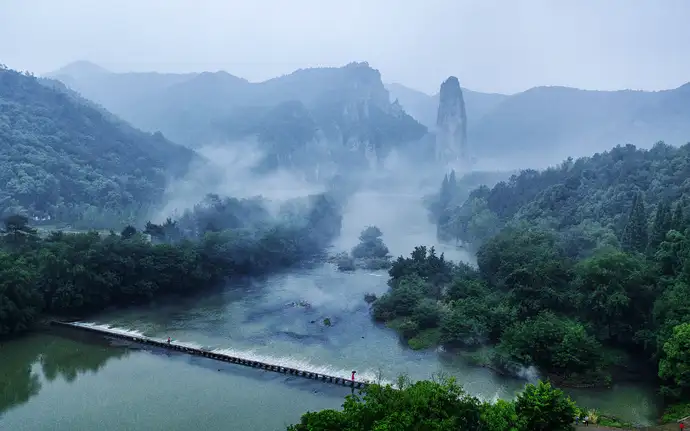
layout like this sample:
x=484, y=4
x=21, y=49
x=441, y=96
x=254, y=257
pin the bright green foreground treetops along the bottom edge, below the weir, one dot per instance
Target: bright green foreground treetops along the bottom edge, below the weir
x=443, y=406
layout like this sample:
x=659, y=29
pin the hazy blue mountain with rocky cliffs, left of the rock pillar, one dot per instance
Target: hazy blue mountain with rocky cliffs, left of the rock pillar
x=340, y=117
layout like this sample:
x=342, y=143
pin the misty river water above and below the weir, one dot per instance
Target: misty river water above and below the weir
x=67, y=381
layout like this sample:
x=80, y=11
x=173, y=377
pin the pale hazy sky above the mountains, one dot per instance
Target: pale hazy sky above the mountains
x=491, y=45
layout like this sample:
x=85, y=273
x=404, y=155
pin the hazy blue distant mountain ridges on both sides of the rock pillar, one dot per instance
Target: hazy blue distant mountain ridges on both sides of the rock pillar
x=350, y=106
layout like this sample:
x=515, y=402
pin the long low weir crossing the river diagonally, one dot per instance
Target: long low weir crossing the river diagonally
x=205, y=353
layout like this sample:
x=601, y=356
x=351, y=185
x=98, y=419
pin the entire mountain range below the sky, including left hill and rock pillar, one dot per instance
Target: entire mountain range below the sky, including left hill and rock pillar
x=72, y=145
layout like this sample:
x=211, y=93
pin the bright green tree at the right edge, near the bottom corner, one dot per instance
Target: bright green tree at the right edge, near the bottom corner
x=674, y=366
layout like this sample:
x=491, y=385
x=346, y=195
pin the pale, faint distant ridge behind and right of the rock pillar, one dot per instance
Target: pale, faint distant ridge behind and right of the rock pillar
x=543, y=125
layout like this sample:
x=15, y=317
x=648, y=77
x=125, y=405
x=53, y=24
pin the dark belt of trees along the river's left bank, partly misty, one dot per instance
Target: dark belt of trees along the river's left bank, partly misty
x=76, y=274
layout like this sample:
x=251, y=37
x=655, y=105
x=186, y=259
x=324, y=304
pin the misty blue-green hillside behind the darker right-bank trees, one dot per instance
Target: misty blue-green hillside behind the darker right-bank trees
x=590, y=196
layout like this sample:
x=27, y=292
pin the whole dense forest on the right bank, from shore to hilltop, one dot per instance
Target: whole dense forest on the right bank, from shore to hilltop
x=582, y=271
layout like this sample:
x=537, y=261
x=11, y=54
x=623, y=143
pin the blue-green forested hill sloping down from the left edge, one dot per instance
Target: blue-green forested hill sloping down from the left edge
x=65, y=159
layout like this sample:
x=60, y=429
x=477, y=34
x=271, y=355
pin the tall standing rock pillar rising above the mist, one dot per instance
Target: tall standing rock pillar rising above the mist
x=451, y=126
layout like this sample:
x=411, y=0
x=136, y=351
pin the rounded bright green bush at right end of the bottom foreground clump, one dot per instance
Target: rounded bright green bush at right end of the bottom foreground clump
x=544, y=408
